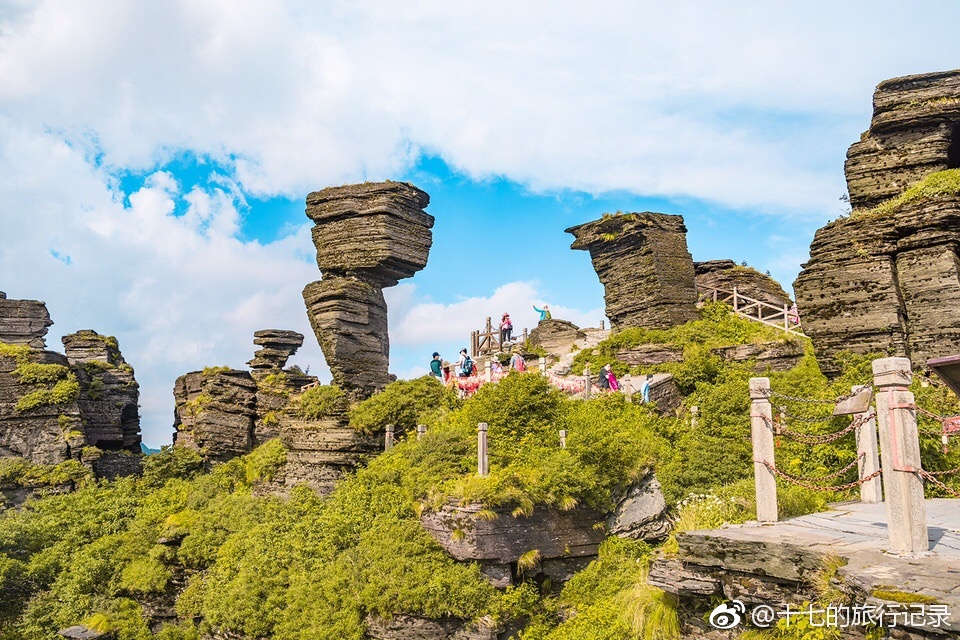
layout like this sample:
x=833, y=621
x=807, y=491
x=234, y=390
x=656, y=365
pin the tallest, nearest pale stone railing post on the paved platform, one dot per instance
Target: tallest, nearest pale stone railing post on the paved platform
x=900, y=456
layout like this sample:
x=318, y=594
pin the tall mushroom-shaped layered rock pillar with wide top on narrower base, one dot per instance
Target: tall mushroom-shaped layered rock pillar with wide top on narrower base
x=368, y=236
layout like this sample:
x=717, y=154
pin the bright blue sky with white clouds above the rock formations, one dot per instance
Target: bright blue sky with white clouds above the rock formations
x=155, y=157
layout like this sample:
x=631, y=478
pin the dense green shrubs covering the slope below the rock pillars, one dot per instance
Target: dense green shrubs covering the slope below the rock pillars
x=309, y=567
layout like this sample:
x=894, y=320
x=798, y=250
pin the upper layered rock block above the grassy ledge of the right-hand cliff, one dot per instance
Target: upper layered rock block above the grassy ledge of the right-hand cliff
x=915, y=131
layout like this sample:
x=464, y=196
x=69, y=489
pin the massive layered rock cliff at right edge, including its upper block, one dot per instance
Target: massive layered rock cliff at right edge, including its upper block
x=887, y=280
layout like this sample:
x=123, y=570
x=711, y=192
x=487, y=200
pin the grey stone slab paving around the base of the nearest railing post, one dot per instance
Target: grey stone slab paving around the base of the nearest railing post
x=858, y=533
